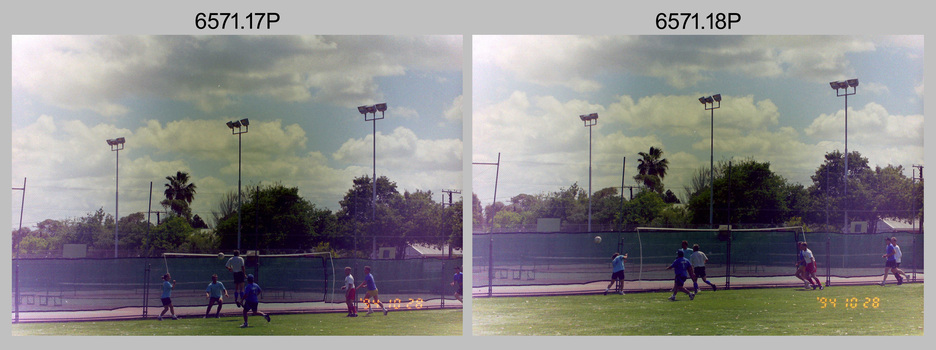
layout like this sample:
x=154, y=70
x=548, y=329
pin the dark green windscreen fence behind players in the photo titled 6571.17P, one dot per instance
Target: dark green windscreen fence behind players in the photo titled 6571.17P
x=56, y=285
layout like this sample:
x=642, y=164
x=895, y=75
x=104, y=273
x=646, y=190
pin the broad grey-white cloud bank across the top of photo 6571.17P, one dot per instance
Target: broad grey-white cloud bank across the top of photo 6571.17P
x=102, y=73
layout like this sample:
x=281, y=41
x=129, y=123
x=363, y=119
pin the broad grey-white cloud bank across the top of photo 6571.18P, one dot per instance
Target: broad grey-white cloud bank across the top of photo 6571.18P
x=682, y=61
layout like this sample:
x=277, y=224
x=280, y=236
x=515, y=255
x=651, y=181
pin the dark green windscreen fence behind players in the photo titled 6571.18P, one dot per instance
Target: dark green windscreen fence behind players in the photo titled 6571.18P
x=528, y=259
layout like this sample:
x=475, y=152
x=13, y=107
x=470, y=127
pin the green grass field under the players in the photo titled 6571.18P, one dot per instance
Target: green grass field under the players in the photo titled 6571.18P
x=769, y=311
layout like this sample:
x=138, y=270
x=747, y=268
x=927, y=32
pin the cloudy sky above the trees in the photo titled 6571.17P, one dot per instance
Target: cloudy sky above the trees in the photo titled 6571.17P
x=170, y=97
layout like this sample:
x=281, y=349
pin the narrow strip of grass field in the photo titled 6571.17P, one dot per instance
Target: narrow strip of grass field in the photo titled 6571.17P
x=423, y=322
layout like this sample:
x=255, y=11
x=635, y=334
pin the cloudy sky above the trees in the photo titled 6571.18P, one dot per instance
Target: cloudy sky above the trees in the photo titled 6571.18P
x=777, y=107
